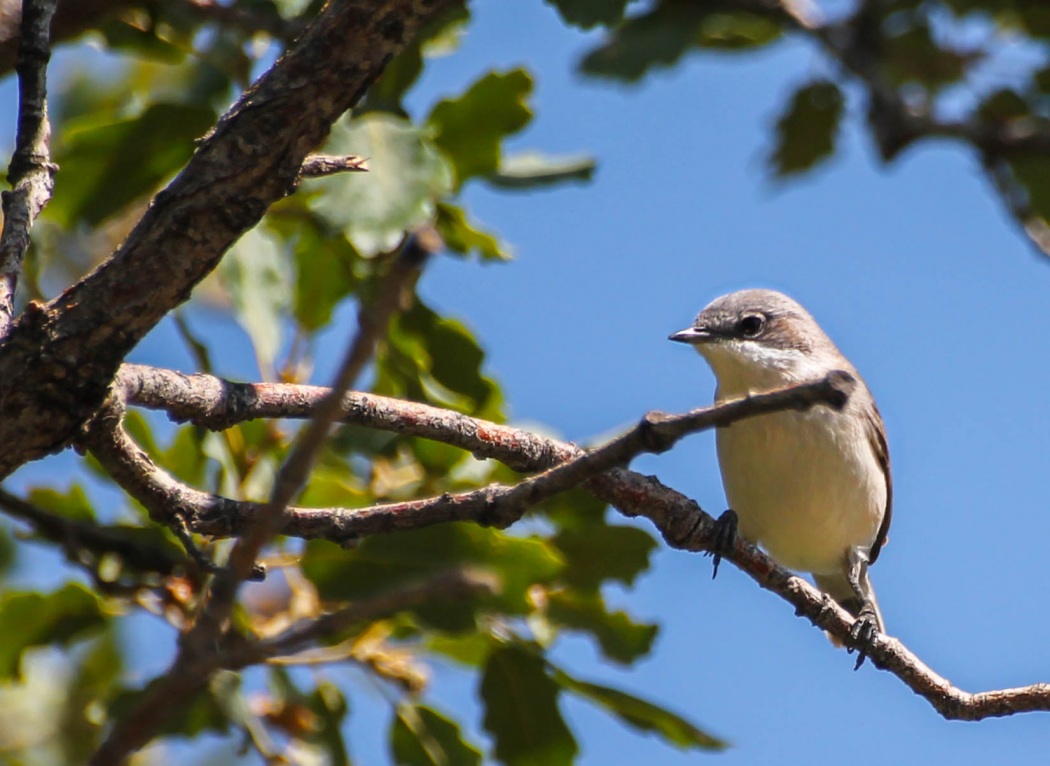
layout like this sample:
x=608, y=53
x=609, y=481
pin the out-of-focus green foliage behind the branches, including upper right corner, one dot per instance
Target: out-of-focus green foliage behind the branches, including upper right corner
x=124, y=129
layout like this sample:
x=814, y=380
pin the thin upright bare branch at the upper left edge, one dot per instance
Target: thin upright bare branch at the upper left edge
x=32, y=173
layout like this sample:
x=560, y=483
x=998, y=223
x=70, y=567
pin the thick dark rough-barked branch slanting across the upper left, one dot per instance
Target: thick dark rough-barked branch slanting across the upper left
x=59, y=359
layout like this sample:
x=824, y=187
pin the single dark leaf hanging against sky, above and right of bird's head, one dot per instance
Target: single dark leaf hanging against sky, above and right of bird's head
x=808, y=130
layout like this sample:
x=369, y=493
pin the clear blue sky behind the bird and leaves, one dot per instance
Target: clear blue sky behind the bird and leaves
x=916, y=273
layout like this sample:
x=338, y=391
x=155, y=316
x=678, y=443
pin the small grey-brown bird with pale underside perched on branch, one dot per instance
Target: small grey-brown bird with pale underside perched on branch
x=813, y=488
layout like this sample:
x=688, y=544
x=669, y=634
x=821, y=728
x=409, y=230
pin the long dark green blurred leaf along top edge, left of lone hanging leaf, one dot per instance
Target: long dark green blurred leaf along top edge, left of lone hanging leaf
x=661, y=37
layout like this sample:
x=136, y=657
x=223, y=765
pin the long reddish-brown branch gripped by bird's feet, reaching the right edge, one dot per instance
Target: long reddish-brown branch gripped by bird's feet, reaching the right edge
x=682, y=523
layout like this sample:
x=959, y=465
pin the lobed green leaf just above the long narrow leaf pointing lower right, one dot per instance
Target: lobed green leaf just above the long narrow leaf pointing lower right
x=621, y=639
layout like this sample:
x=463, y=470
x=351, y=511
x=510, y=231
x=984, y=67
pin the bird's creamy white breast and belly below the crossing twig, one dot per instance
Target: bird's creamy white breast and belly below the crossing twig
x=807, y=486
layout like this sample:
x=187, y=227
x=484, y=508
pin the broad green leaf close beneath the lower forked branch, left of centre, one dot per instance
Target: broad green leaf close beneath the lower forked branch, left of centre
x=386, y=562
